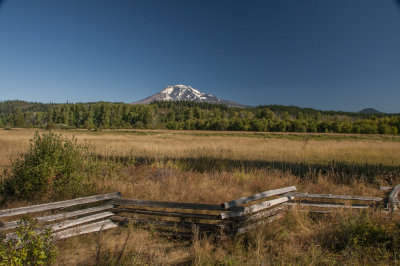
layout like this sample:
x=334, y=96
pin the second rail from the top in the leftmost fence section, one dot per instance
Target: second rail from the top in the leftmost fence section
x=60, y=216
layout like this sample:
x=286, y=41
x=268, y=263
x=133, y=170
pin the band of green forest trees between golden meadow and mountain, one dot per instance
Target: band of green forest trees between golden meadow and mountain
x=192, y=116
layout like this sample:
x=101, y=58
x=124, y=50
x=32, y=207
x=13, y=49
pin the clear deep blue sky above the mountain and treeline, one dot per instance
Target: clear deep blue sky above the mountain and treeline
x=330, y=55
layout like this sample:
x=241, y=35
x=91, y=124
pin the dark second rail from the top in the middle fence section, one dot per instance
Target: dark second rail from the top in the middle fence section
x=170, y=214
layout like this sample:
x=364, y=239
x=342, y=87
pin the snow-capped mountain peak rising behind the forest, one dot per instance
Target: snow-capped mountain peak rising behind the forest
x=185, y=93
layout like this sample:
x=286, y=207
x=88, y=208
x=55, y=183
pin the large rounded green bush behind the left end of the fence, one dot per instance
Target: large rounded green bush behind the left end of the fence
x=50, y=166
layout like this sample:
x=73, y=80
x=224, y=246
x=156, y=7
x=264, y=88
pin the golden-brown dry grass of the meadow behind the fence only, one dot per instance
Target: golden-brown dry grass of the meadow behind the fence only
x=168, y=180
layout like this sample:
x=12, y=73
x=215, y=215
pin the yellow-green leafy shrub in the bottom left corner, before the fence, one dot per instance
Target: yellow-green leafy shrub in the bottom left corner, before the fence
x=30, y=248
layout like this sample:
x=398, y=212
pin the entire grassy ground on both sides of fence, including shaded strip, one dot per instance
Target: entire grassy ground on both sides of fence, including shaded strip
x=213, y=167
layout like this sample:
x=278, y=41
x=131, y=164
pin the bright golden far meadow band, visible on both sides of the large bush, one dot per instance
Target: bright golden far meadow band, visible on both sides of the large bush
x=165, y=144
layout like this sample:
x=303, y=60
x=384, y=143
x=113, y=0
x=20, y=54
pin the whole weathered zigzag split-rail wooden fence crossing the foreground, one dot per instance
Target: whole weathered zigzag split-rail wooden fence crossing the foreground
x=187, y=219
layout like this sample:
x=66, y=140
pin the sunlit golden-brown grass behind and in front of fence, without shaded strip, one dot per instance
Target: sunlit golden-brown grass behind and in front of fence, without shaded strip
x=293, y=240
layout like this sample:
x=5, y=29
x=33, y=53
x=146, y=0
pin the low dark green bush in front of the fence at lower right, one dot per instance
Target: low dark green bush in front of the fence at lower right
x=362, y=238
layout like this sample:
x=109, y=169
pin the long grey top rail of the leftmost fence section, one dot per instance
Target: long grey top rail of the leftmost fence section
x=57, y=205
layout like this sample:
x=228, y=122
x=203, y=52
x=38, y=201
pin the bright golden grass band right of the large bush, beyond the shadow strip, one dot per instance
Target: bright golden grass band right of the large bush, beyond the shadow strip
x=166, y=145
